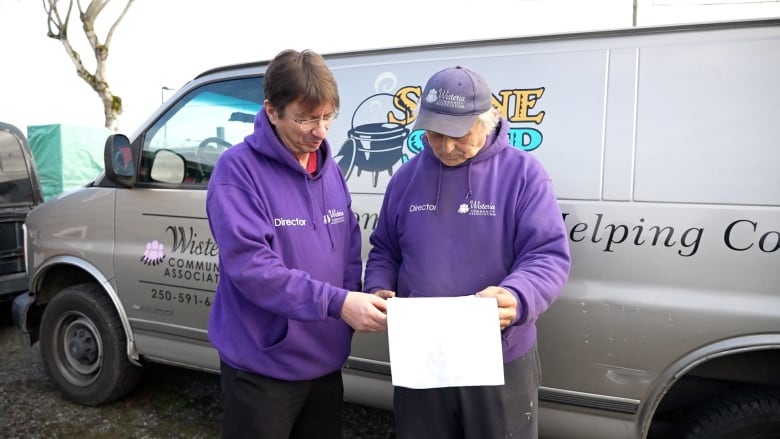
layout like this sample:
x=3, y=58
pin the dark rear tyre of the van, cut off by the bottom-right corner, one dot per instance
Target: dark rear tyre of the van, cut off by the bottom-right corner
x=753, y=413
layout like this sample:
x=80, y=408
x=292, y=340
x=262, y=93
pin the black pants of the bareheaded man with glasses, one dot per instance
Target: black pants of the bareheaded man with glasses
x=259, y=407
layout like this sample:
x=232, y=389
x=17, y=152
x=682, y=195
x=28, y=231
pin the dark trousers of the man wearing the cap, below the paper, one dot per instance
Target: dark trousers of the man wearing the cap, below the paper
x=478, y=412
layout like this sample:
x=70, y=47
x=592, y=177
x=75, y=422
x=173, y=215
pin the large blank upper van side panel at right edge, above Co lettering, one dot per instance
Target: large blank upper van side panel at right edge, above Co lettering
x=731, y=98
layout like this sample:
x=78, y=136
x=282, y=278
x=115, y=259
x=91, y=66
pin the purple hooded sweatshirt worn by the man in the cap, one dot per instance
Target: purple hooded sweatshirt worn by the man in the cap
x=452, y=231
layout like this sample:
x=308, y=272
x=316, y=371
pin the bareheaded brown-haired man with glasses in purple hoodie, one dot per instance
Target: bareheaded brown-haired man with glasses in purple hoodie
x=288, y=296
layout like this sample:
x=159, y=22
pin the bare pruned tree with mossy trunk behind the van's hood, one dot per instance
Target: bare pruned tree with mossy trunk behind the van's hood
x=58, y=29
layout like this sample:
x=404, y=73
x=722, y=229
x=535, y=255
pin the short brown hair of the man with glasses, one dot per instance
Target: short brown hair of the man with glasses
x=300, y=76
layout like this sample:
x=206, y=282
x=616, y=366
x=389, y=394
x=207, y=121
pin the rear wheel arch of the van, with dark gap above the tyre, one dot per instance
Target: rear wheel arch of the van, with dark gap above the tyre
x=716, y=361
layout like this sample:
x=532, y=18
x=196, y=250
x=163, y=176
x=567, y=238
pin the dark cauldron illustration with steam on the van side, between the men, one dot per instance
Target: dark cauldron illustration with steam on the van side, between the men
x=372, y=147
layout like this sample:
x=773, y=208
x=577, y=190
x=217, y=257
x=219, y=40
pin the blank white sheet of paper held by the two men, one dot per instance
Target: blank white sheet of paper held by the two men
x=444, y=342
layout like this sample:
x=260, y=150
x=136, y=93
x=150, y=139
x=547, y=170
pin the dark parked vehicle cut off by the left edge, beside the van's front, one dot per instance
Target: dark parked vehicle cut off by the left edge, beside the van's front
x=20, y=192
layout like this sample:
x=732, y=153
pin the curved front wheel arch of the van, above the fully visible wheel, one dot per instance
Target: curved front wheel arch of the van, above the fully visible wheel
x=60, y=272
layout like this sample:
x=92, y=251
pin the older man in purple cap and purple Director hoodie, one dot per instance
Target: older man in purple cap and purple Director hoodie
x=469, y=215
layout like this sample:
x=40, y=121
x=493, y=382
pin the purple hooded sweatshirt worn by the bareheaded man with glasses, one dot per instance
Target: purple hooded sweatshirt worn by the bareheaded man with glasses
x=289, y=249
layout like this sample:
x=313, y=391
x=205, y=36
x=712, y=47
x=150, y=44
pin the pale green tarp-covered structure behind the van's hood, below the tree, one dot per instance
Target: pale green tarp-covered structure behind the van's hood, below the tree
x=66, y=156
